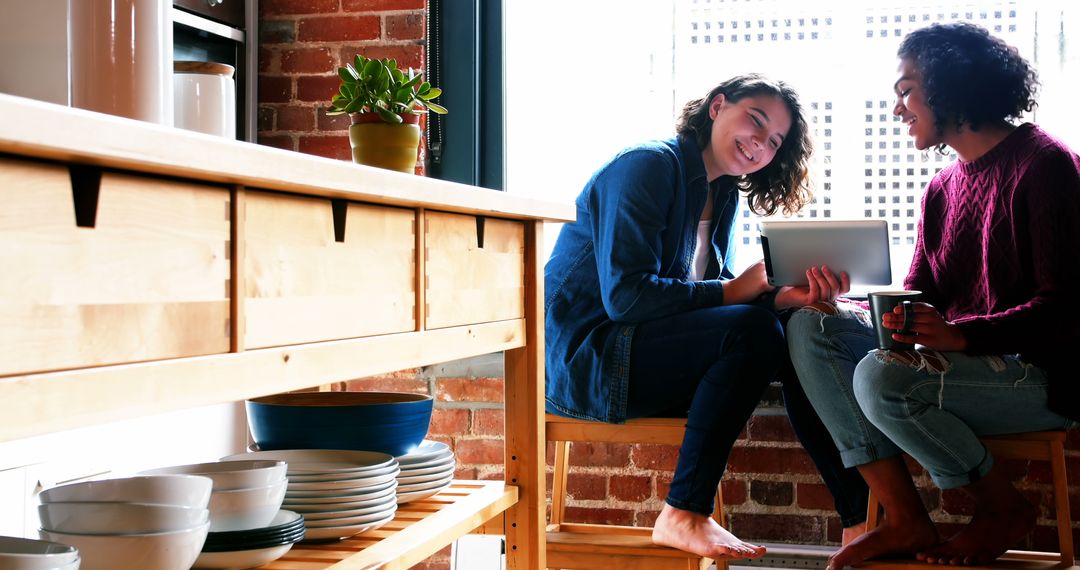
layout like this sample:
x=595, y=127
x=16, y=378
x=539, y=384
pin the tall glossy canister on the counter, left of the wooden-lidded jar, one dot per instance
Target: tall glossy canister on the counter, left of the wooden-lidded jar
x=121, y=57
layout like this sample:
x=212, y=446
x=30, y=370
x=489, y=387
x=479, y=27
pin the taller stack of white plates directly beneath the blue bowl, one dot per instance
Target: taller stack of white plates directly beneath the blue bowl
x=341, y=494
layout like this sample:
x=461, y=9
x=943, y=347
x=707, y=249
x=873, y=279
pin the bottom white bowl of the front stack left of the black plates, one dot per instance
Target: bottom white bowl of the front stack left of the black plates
x=159, y=551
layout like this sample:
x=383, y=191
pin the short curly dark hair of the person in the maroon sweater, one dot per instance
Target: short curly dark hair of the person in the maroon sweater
x=971, y=78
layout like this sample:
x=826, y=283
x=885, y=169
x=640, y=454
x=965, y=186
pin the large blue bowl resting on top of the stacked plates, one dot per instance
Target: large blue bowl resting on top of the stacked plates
x=388, y=423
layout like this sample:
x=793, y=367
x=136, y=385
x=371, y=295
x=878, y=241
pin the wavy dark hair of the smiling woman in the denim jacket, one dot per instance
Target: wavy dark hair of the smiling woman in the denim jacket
x=785, y=182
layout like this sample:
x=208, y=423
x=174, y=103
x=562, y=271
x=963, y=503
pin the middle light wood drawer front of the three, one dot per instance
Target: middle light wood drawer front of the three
x=302, y=286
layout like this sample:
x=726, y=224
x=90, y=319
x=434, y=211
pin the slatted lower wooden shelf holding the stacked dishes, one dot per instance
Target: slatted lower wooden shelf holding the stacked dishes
x=420, y=530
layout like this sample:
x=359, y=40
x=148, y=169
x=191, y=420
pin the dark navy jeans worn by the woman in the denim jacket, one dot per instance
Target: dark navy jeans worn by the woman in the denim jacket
x=712, y=365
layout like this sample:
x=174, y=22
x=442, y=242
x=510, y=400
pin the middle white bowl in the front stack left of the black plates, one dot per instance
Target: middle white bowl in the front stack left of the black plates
x=119, y=519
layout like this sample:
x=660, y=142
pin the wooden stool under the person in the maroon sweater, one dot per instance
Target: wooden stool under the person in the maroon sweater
x=1048, y=446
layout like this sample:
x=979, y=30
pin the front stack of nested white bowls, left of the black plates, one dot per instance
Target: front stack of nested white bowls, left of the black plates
x=151, y=523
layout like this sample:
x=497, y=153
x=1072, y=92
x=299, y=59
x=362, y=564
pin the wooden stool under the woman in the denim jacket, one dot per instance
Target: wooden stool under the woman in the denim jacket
x=578, y=546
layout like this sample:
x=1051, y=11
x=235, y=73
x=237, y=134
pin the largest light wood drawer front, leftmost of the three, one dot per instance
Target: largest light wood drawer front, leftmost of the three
x=148, y=281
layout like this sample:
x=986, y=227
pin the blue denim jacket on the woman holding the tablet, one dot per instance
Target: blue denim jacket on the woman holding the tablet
x=627, y=261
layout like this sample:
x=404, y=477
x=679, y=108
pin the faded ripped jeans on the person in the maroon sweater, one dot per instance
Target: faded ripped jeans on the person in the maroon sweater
x=931, y=405
